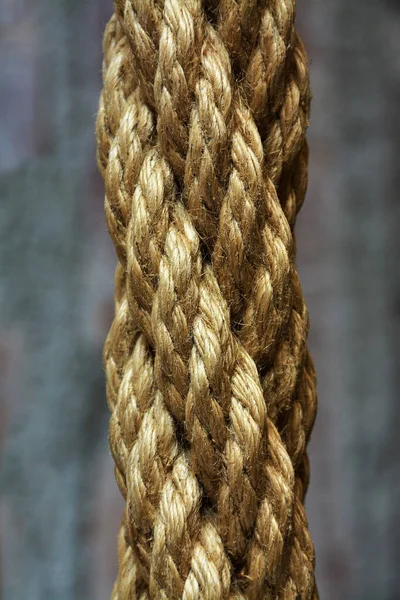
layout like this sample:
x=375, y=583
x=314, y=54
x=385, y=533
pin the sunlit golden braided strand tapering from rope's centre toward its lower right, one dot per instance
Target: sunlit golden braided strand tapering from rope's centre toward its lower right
x=225, y=386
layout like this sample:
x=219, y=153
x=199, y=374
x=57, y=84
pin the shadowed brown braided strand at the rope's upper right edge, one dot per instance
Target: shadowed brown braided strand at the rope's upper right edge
x=277, y=46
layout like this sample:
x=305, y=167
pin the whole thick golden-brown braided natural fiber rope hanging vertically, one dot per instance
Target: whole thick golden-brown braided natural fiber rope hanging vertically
x=201, y=143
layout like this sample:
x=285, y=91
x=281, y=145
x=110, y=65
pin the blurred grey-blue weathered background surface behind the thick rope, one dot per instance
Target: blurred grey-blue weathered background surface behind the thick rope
x=59, y=507
